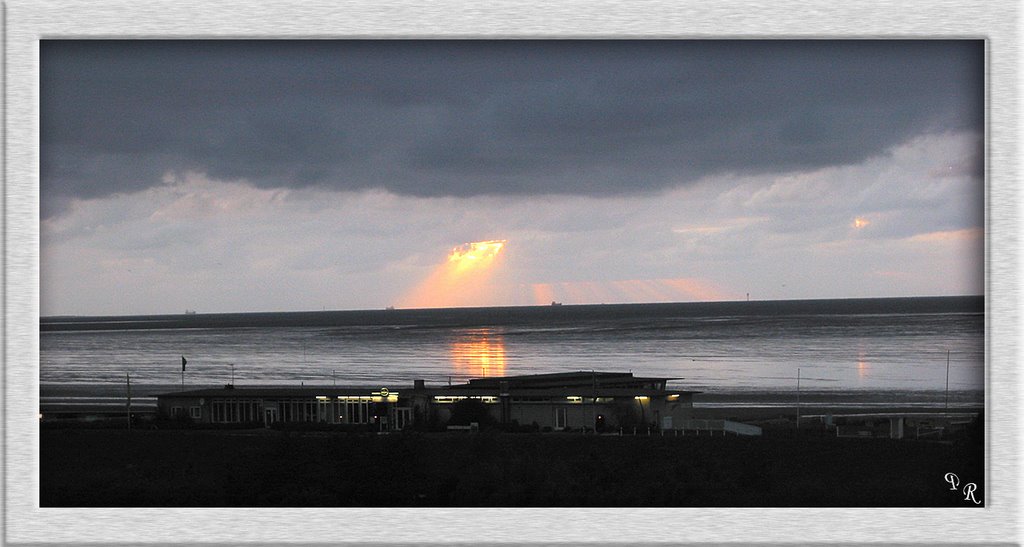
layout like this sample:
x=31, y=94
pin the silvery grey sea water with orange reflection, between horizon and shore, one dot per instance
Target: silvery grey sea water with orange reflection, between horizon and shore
x=887, y=345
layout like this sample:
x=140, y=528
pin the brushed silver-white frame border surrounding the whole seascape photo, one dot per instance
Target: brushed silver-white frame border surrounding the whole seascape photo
x=27, y=22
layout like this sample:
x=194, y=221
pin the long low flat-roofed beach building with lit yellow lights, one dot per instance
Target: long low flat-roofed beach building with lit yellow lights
x=590, y=401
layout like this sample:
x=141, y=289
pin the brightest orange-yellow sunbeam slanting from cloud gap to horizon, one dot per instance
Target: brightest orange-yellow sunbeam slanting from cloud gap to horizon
x=464, y=280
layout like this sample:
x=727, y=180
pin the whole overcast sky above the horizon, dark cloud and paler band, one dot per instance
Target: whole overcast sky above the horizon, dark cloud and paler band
x=245, y=177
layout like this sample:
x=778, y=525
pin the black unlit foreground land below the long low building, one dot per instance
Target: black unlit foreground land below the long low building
x=104, y=468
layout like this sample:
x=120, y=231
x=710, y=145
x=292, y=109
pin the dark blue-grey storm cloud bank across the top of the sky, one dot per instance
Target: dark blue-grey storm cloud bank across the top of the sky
x=472, y=118
